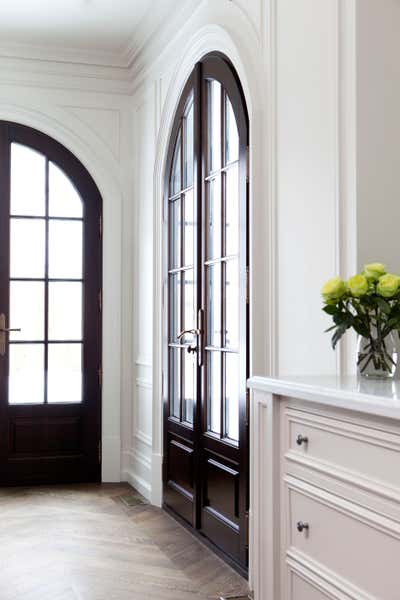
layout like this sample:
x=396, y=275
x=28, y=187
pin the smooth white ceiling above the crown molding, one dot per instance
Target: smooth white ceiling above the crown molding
x=106, y=26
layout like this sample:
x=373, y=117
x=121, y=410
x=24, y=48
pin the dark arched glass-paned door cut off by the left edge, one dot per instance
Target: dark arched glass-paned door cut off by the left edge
x=50, y=312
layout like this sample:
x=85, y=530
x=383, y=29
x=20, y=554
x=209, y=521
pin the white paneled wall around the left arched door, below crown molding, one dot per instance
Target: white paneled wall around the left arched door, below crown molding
x=66, y=103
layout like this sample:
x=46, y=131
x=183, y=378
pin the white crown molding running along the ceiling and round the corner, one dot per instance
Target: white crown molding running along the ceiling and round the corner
x=94, y=70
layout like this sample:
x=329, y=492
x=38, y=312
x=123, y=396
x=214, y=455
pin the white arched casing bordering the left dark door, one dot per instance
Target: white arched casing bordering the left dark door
x=83, y=143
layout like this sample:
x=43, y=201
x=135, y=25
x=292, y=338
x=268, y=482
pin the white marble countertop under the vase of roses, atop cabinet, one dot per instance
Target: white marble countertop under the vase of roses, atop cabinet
x=376, y=397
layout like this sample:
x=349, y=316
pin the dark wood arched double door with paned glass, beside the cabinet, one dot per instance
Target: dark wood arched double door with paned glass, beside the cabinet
x=206, y=310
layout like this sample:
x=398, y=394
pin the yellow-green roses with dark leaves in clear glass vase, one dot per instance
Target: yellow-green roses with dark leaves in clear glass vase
x=369, y=303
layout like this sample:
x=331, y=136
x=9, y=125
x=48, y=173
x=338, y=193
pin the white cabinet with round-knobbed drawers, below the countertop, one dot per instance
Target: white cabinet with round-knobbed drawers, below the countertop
x=325, y=506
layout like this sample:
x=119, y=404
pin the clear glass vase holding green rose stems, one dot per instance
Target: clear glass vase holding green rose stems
x=377, y=356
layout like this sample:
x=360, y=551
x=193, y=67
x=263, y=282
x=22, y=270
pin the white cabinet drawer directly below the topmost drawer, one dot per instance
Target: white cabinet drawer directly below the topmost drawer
x=357, y=546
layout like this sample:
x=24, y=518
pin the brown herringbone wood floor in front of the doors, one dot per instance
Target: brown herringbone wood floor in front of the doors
x=83, y=543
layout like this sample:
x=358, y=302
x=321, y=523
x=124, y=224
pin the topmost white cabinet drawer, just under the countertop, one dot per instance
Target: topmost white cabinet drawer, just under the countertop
x=345, y=448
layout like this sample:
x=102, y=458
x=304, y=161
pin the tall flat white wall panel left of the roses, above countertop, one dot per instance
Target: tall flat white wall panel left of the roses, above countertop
x=307, y=185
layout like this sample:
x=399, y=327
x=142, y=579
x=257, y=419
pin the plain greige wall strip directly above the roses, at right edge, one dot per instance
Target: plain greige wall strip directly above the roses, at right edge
x=378, y=131
